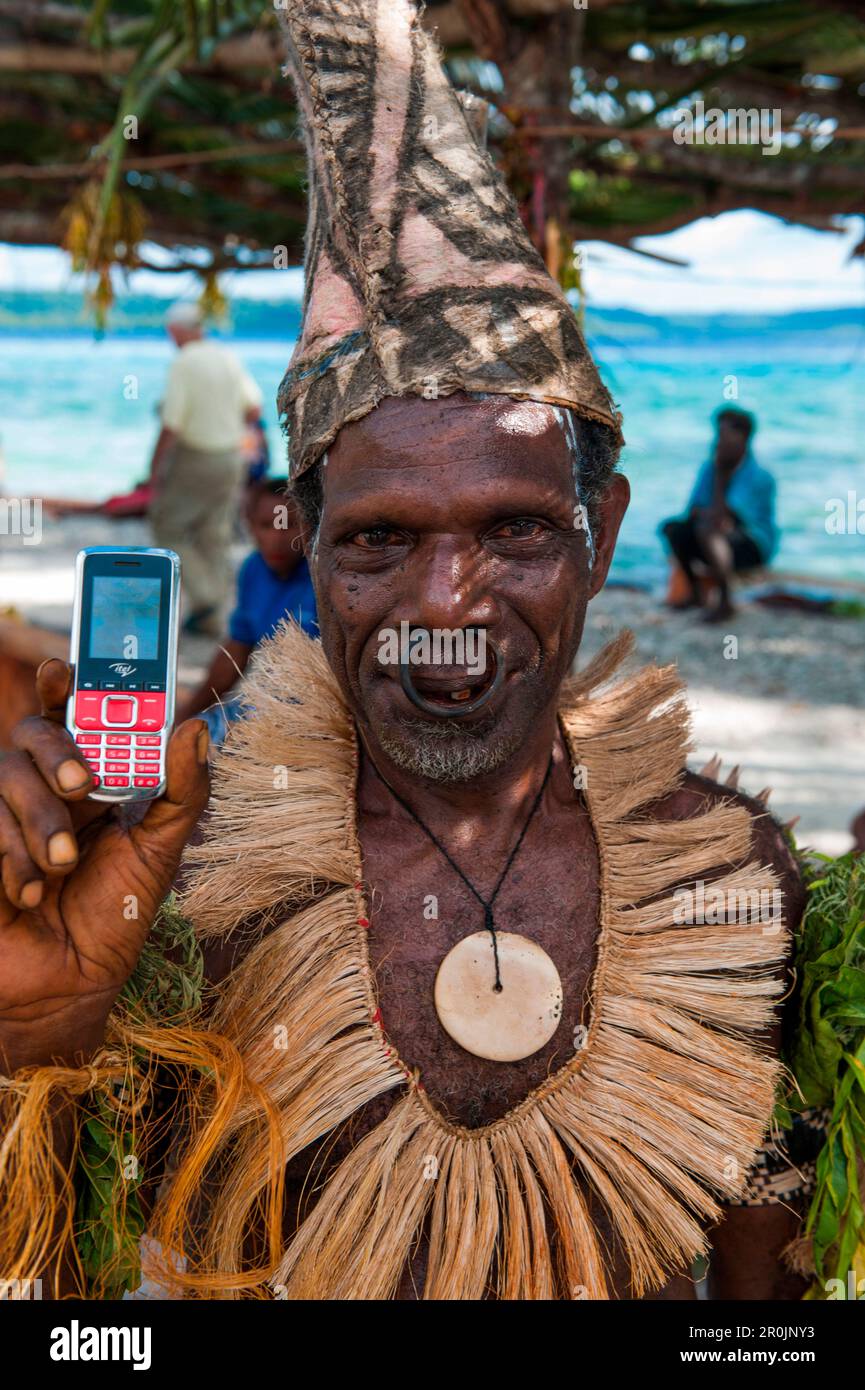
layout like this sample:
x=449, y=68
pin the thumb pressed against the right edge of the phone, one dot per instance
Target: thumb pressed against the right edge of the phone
x=172, y=819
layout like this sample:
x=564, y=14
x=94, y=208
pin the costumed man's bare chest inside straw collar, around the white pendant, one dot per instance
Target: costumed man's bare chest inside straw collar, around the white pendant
x=421, y=908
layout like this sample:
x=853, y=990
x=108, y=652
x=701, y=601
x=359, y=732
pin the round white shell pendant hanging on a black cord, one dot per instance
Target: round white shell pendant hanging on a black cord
x=508, y=1025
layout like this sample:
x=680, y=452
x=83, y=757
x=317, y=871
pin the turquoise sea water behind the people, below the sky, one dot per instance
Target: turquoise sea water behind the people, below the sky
x=79, y=419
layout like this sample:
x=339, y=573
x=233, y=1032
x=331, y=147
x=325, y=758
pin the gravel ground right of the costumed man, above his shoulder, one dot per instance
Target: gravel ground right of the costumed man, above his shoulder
x=786, y=708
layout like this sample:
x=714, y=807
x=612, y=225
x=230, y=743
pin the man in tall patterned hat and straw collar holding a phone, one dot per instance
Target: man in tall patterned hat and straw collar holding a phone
x=460, y=1042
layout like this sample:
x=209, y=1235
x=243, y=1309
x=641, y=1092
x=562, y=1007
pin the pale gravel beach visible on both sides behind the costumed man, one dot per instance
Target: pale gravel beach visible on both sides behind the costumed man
x=786, y=708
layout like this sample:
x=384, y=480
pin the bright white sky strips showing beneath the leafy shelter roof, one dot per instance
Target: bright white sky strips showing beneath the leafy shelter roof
x=742, y=262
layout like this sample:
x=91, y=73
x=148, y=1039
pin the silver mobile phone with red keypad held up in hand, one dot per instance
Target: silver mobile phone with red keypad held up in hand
x=124, y=654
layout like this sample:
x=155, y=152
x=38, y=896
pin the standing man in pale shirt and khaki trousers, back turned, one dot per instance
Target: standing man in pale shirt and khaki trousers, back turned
x=197, y=465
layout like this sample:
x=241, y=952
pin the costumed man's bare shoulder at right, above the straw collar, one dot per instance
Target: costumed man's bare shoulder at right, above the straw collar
x=770, y=846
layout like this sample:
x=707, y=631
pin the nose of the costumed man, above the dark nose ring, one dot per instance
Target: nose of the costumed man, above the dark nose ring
x=450, y=586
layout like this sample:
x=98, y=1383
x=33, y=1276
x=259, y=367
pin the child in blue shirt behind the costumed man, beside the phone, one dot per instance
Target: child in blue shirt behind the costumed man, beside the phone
x=273, y=583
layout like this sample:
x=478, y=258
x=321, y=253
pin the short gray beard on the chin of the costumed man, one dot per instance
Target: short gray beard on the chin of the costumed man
x=446, y=754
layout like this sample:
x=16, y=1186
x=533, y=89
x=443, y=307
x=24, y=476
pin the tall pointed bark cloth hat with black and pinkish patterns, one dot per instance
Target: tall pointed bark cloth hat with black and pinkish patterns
x=421, y=279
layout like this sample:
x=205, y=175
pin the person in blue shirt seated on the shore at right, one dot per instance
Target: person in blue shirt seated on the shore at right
x=731, y=519
